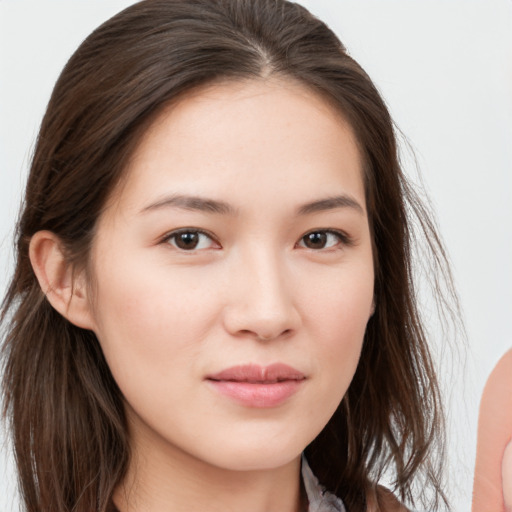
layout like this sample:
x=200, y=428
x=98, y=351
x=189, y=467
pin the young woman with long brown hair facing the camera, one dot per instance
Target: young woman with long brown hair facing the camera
x=214, y=276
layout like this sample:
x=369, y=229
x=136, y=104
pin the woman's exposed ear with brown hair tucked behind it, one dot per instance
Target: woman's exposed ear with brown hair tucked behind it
x=65, y=291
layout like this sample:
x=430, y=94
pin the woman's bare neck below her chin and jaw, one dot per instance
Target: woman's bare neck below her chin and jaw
x=165, y=479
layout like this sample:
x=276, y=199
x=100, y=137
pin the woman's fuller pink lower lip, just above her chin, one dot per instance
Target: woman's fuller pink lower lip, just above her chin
x=257, y=395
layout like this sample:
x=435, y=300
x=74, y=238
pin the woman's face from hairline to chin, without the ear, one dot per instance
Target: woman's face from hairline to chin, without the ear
x=233, y=275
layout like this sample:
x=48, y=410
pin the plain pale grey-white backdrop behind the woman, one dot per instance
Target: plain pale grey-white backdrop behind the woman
x=445, y=70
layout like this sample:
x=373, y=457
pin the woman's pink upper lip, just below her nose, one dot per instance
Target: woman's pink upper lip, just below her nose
x=277, y=372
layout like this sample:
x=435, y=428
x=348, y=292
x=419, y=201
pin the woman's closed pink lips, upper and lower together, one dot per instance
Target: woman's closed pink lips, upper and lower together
x=257, y=386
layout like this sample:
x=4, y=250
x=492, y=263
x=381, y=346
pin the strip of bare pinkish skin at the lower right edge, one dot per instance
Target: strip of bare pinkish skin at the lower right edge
x=492, y=488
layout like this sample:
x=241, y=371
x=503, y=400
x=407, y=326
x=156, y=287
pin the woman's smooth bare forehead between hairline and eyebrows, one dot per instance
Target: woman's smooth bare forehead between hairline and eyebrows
x=260, y=135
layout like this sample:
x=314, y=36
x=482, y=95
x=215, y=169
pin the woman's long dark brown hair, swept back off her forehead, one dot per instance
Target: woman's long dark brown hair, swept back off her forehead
x=65, y=410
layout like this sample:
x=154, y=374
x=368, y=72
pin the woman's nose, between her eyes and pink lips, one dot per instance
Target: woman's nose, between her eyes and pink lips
x=261, y=303
